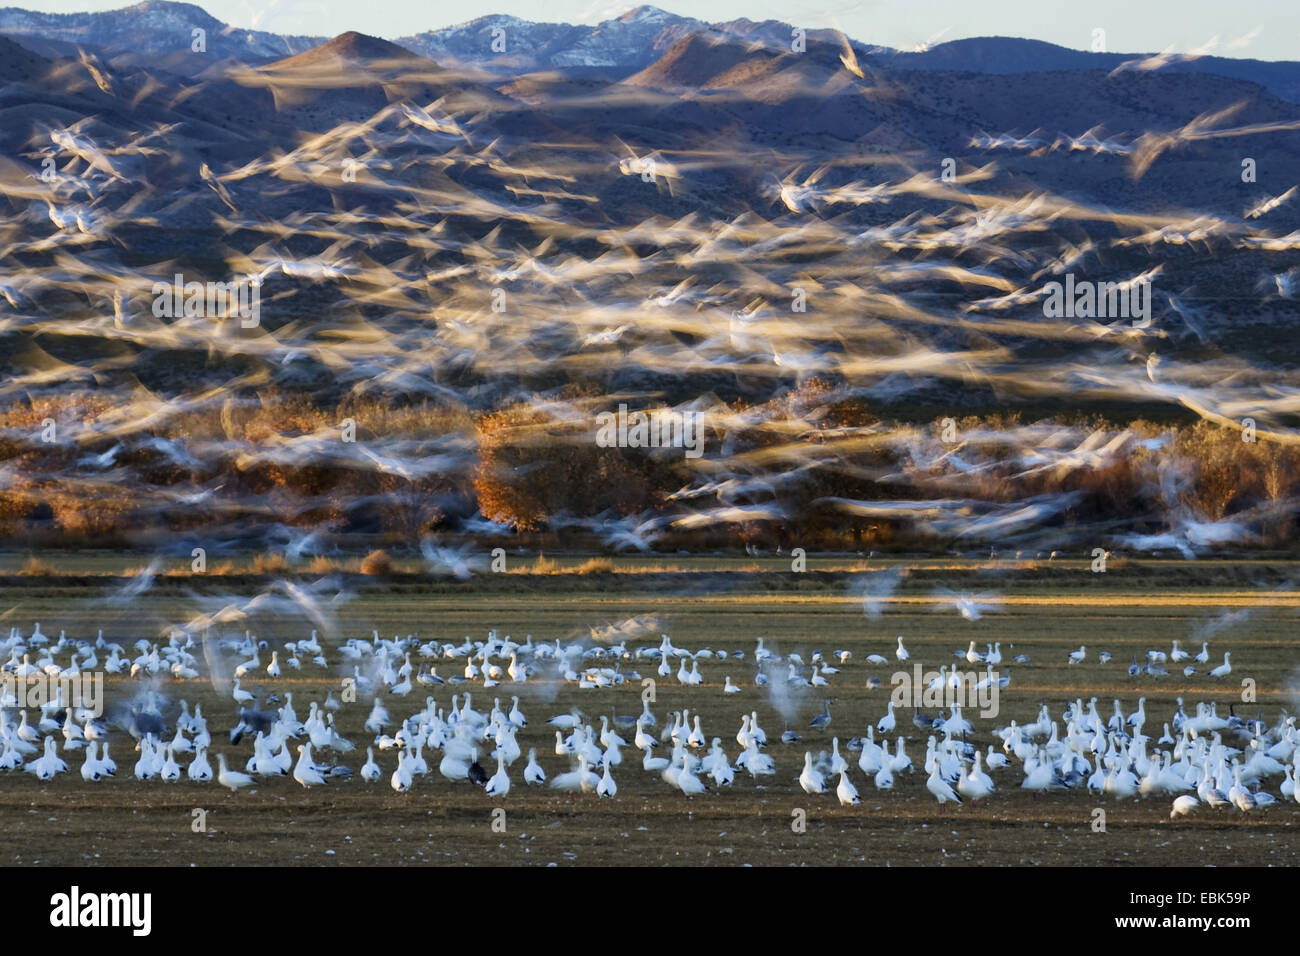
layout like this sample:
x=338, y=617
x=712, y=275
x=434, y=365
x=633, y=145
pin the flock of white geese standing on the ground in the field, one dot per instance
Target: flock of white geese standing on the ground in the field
x=1199, y=759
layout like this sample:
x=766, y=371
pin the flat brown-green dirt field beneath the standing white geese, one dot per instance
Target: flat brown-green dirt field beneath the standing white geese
x=124, y=821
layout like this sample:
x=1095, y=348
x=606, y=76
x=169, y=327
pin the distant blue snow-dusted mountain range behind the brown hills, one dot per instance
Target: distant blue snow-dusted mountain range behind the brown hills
x=159, y=33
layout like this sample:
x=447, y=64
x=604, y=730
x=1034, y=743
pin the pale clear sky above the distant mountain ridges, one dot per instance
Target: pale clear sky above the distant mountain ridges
x=1259, y=29
